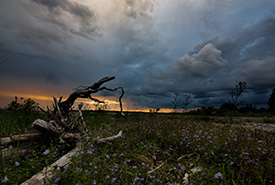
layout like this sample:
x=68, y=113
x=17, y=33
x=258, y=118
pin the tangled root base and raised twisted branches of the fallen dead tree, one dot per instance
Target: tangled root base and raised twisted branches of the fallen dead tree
x=62, y=124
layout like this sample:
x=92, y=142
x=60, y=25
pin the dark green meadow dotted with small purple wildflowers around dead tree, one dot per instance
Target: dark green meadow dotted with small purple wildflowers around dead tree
x=155, y=149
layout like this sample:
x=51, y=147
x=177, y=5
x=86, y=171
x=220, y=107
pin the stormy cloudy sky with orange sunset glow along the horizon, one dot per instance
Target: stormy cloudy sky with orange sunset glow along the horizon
x=154, y=48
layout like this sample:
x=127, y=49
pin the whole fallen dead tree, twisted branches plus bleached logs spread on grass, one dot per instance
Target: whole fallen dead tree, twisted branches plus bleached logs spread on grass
x=63, y=124
